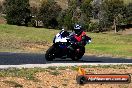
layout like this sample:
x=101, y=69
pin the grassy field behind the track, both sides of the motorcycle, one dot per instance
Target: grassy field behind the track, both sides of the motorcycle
x=14, y=38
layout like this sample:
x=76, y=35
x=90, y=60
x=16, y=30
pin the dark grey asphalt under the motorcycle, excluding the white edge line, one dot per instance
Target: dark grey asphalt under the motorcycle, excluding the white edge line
x=8, y=58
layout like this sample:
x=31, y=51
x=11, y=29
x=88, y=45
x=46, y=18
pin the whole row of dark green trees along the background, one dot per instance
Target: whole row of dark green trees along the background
x=50, y=14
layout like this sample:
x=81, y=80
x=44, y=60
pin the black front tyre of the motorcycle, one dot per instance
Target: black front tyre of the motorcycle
x=50, y=53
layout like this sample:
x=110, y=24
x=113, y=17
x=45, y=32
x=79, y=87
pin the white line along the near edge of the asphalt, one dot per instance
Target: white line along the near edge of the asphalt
x=57, y=64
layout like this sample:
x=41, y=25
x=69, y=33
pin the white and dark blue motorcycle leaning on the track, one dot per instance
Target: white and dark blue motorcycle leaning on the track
x=60, y=49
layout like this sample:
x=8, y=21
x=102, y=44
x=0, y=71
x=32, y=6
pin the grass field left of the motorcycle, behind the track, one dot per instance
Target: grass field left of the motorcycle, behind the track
x=14, y=38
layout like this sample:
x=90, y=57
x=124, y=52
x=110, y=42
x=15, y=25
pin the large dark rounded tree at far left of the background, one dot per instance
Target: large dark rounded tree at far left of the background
x=17, y=11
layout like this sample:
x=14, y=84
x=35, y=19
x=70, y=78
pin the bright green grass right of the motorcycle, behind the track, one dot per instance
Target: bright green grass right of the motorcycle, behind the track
x=110, y=44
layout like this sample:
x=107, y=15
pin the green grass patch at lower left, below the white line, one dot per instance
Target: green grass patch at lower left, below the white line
x=29, y=74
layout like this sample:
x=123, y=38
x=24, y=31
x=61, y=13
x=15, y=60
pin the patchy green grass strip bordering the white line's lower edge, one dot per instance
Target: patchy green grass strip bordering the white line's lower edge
x=29, y=73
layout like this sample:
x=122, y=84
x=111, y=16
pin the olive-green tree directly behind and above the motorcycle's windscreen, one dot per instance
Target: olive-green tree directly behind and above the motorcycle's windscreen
x=67, y=17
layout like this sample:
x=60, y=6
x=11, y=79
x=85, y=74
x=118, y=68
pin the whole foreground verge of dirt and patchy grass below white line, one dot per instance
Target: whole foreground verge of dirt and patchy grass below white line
x=59, y=76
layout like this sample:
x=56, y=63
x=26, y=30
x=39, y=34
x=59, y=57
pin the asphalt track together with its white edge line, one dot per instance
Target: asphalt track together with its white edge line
x=31, y=60
